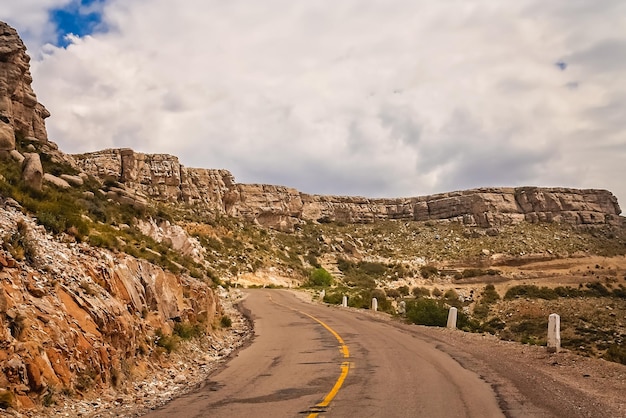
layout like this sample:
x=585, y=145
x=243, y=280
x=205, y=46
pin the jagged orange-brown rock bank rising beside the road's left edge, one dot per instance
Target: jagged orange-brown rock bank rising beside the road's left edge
x=74, y=318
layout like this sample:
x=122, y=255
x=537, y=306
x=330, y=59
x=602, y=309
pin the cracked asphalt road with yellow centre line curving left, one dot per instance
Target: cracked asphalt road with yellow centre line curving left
x=310, y=360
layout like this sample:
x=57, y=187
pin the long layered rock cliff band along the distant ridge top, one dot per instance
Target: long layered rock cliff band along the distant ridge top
x=163, y=178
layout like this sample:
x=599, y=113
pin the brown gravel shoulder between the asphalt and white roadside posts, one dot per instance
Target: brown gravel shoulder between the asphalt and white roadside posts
x=529, y=381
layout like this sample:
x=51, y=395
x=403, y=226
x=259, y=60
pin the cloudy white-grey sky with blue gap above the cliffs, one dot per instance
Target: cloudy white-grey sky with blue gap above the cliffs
x=381, y=98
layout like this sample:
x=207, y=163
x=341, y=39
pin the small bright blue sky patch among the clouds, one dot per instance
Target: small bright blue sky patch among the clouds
x=80, y=18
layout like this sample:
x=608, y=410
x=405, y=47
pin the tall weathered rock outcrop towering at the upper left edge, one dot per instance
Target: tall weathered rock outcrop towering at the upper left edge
x=19, y=110
